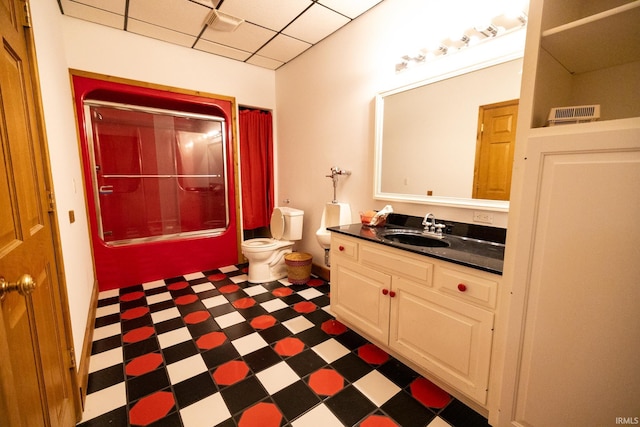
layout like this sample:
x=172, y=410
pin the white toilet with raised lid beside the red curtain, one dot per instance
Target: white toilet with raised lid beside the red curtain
x=266, y=256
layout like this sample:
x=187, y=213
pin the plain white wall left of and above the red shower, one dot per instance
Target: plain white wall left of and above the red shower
x=62, y=43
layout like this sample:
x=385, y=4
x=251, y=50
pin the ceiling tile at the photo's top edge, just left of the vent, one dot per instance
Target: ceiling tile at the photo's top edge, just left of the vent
x=179, y=15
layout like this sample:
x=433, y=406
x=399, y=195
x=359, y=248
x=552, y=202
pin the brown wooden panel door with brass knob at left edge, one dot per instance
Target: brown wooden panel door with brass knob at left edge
x=37, y=369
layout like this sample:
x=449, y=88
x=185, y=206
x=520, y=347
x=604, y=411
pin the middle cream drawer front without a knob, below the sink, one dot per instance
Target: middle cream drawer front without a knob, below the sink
x=398, y=263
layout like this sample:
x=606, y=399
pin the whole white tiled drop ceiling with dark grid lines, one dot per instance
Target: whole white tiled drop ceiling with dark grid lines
x=274, y=31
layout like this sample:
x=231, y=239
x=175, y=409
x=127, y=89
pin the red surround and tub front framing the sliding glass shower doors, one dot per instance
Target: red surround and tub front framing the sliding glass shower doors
x=146, y=260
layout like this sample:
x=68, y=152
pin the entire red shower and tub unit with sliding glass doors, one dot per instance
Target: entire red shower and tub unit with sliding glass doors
x=159, y=180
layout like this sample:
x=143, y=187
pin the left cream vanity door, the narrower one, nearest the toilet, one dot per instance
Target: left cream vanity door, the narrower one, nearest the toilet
x=360, y=297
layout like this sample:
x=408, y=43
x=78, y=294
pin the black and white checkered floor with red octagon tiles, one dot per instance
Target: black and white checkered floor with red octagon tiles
x=211, y=349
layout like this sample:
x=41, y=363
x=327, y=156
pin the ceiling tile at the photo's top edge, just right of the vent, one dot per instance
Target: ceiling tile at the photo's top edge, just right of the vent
x=264, y=13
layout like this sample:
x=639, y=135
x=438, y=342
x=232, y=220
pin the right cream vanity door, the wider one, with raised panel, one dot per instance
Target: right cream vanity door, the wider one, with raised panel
x=450, y=338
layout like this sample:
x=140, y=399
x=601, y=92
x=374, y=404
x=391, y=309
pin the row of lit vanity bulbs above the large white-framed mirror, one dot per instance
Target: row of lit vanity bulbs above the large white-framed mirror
x=499, y=25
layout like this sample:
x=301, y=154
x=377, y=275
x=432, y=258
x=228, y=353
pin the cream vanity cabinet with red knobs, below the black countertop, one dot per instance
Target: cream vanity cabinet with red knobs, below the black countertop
x=435, y=315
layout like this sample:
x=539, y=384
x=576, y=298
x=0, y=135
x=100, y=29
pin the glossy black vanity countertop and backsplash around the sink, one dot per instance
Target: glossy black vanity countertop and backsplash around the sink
x=468, y=244
